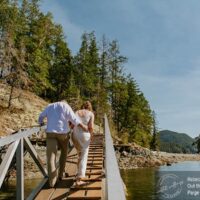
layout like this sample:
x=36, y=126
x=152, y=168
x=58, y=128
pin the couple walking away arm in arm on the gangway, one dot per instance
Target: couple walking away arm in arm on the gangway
x=60, y=118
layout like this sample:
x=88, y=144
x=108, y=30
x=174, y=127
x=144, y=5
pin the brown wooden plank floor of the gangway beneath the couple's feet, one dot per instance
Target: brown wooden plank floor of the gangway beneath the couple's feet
x=94, y=189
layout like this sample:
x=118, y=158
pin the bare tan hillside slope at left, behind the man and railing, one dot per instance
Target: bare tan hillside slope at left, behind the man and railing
x=23, y=112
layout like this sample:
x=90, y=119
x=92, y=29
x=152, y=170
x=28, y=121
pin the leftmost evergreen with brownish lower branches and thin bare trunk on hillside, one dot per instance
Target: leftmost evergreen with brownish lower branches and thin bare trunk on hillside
x=12, y=50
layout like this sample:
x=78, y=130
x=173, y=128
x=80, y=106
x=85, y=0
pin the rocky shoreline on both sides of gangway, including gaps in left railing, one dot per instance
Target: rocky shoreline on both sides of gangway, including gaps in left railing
x=128, y=156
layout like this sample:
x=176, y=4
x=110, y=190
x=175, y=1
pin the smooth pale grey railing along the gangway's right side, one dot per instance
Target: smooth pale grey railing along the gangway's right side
x=114, y=183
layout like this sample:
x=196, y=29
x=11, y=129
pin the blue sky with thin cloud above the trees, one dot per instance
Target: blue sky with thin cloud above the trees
x=161, y=39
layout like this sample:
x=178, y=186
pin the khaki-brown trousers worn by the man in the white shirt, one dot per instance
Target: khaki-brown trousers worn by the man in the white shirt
x=54, y=141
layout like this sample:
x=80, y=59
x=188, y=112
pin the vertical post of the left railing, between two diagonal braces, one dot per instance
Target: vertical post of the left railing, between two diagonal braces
x=20, y=170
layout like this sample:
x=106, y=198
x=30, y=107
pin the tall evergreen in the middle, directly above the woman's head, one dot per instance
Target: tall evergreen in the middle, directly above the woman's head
x=86, y=66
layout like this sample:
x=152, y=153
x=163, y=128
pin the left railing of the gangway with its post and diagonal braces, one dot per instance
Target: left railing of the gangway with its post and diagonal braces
x=16, y=143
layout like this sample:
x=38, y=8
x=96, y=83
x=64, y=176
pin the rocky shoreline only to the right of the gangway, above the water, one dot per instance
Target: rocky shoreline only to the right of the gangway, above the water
x=134, y=156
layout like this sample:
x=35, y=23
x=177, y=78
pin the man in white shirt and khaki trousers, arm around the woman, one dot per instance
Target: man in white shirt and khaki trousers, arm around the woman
x=58, y=114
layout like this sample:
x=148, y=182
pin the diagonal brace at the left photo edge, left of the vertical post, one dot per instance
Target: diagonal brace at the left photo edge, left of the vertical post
x=7, y=159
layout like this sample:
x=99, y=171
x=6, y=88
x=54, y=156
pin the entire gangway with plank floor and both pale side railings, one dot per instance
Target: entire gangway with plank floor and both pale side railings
x=102, y=175
